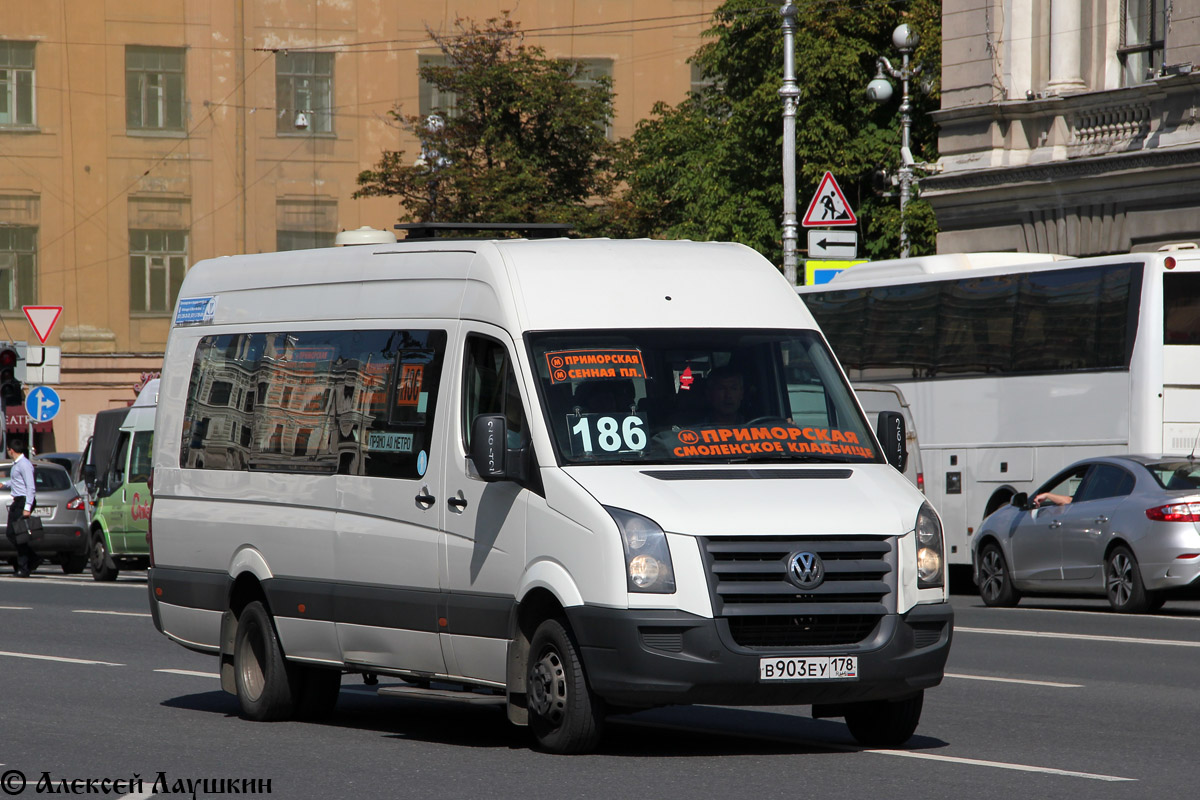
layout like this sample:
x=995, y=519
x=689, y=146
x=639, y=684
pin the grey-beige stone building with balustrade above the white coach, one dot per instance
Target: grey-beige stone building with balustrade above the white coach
x=1069, y=127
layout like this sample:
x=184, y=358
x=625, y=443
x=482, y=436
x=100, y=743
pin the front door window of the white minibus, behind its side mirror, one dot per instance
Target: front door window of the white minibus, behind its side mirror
x=490, y=387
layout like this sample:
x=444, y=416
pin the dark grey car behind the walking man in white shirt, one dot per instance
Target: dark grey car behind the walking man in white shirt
x=64, y=515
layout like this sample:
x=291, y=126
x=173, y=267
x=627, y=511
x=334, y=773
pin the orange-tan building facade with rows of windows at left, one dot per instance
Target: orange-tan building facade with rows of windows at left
x=139, y=137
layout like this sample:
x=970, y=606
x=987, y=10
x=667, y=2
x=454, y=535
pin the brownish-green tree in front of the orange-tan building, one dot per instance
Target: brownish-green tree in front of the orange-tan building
x=525, y=142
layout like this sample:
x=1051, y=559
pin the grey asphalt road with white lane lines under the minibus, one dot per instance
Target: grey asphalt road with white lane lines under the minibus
x=1058, y=699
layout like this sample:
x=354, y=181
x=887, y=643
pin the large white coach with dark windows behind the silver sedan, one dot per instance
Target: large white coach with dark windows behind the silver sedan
x=1019, y=364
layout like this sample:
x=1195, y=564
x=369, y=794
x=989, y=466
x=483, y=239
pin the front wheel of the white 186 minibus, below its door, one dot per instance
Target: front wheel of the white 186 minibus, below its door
x=565, y=715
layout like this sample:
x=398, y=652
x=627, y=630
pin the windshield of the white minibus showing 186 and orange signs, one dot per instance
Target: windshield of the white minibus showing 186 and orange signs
x=698, y=396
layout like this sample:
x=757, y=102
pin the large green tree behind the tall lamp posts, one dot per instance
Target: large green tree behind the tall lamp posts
x=710, y=167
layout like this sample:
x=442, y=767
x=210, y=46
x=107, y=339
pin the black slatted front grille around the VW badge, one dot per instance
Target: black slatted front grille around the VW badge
x=765, y=610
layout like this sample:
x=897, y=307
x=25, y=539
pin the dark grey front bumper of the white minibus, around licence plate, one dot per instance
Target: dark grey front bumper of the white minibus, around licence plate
x=661, y=658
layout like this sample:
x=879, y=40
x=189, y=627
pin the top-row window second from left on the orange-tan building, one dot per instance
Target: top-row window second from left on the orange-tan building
x=154, y=88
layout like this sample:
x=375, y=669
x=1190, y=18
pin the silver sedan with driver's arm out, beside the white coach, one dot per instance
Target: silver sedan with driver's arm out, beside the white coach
x=1126, y=527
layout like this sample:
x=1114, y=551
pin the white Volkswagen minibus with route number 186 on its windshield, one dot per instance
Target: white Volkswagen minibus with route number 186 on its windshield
x=560, y=476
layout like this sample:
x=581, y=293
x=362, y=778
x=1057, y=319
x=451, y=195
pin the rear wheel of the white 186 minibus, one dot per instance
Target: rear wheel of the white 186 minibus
x=267, y=683
